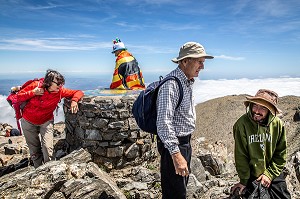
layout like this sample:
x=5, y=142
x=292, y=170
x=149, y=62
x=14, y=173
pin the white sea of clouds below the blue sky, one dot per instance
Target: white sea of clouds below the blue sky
x=203, y=90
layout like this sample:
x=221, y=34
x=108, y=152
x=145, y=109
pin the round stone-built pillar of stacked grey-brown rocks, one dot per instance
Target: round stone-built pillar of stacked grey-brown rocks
x=106, y=128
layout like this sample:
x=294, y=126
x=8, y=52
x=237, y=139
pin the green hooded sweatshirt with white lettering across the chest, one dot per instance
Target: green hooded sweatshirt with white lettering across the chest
x=259, y=149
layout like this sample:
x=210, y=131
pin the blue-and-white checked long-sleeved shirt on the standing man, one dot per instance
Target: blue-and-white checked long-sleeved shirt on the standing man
x=172, y=122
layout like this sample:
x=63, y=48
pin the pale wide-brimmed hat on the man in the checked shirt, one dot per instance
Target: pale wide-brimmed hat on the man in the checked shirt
x=193, y=50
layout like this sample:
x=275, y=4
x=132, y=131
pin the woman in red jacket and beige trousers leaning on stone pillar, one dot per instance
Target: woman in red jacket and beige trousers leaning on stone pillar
x=43, y=97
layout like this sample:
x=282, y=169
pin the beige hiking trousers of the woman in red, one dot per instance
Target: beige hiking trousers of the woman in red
x=39, y=139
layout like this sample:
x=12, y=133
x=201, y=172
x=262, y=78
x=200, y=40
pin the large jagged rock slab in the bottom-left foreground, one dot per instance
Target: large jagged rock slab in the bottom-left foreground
x=73, y=176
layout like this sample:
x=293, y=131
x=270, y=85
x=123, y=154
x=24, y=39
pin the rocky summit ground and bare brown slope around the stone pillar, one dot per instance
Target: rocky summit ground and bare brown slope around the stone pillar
x=75, y=174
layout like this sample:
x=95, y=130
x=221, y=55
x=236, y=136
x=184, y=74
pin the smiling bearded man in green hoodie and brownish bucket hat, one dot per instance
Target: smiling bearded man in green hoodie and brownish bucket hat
x=261, y=147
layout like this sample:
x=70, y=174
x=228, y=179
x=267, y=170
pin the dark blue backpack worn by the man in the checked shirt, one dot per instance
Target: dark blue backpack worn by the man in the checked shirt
x=144, y=107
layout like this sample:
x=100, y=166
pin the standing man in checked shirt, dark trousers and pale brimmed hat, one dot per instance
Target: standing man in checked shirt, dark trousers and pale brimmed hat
x=175, y=125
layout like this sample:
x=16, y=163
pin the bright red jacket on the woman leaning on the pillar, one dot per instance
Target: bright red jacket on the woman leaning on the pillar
x=40, y=108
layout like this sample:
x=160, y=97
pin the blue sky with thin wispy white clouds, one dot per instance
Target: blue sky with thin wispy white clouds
x=249, y=38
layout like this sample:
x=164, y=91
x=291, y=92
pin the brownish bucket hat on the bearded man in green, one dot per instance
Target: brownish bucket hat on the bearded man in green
x=266, y=98
